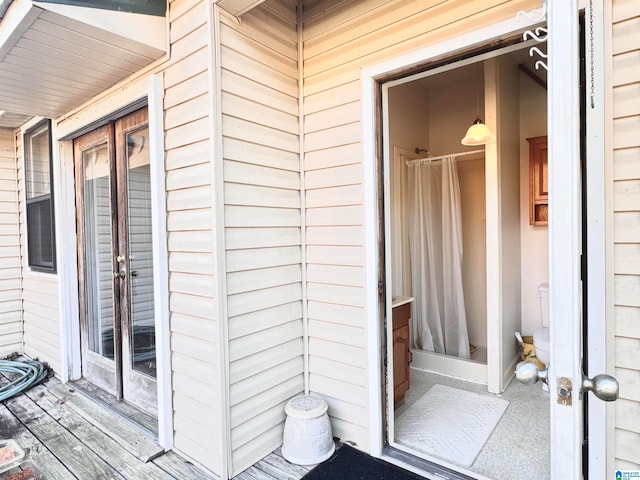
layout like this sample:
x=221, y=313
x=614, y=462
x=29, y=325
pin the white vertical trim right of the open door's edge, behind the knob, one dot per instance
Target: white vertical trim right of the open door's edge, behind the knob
x=601, y=415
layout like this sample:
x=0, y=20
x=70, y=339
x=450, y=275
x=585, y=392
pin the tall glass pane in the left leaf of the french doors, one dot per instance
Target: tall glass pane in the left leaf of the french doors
x=98, y=250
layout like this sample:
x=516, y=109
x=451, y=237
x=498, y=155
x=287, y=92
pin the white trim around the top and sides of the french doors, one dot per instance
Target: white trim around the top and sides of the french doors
x=151, y=88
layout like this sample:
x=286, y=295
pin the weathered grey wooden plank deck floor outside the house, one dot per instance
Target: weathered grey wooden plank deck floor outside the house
x=68, y=436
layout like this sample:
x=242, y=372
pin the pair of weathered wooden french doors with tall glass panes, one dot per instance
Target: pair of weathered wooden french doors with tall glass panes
x=115, y=260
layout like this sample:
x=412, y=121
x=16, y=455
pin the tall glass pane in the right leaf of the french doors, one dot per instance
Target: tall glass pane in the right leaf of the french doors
x=142, y=334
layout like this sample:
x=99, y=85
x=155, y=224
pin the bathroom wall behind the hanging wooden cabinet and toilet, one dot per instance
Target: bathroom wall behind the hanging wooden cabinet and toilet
x=534, y=238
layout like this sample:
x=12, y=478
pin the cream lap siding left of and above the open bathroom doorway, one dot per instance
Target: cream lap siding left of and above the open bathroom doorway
x=341, y=38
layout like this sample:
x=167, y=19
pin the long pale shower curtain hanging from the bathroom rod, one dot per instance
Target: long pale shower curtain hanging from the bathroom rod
x=435, y=242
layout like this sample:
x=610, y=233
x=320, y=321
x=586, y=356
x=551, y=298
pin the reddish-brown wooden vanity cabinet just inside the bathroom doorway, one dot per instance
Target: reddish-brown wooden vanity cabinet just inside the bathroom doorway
x=401, y=352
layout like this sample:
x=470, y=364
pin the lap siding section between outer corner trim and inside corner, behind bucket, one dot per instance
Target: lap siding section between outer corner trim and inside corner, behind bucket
x=259, y=75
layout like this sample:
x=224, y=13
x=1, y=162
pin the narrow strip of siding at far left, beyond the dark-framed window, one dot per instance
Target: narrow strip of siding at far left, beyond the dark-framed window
x=10, y=274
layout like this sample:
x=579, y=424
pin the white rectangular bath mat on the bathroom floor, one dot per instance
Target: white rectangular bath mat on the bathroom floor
x=449, y=423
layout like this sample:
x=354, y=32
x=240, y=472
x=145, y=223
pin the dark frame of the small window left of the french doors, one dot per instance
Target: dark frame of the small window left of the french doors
x=33, y=264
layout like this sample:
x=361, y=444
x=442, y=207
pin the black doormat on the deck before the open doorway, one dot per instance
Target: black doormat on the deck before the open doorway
x=351, y=464
